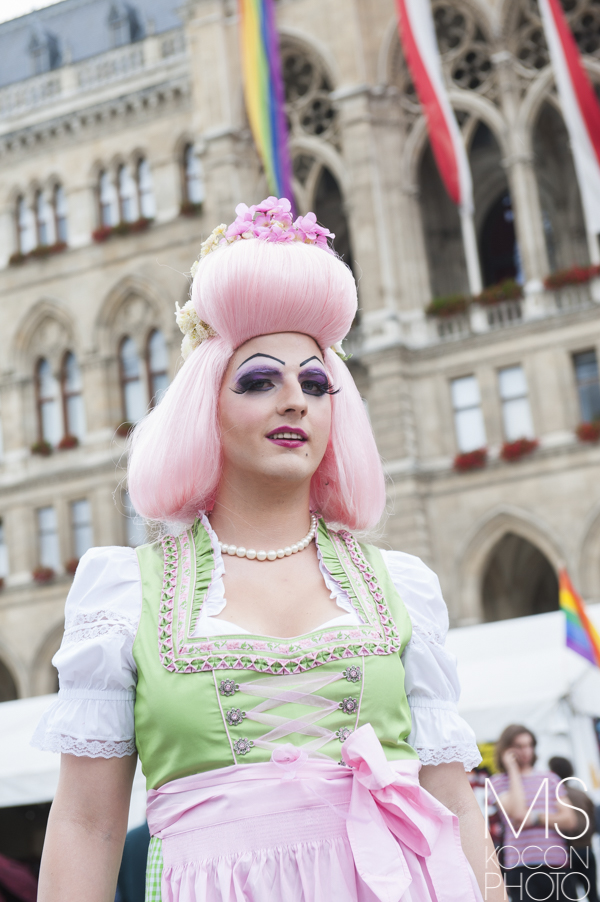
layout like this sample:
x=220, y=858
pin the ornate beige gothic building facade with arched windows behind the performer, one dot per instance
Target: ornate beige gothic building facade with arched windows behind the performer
x=124, y=141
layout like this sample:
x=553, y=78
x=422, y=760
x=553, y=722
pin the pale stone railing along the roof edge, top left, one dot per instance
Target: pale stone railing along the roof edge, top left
x=26, y=96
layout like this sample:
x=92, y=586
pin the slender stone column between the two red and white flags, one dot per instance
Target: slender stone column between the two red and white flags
x=524, y=192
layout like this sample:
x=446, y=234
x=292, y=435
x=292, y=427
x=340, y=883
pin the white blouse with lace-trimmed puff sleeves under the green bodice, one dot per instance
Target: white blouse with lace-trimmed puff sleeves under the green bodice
x=93, y=713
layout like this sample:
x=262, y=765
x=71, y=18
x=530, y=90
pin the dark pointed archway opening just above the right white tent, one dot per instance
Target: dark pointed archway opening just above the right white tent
x=518, y=580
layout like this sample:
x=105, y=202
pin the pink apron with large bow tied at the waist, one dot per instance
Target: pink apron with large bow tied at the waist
x=307, y=830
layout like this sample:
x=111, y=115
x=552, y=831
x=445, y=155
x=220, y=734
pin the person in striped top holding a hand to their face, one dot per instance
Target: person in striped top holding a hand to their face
x=536, y=866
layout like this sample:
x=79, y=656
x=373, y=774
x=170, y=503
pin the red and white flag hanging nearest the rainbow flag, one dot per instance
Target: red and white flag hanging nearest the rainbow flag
x=419, y=43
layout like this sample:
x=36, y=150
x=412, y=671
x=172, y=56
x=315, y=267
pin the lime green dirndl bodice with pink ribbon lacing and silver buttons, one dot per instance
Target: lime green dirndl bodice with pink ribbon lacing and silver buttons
x=204, y=703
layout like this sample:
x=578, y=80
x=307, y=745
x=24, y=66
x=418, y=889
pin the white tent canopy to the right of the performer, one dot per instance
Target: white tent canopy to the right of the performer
x=520, y=671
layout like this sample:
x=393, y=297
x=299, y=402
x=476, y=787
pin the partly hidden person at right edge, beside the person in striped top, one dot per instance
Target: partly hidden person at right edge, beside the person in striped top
x=583, y=860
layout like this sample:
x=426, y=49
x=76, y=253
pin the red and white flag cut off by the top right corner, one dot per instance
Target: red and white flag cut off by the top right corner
x=580, y=108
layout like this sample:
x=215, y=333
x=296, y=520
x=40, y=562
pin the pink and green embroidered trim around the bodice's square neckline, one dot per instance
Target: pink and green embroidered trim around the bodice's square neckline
x=184, y=591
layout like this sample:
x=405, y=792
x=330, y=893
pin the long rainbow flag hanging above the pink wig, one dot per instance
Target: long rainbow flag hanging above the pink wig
x=263, y=88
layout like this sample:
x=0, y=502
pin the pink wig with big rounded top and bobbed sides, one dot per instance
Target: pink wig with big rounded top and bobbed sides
x=243, y=290
